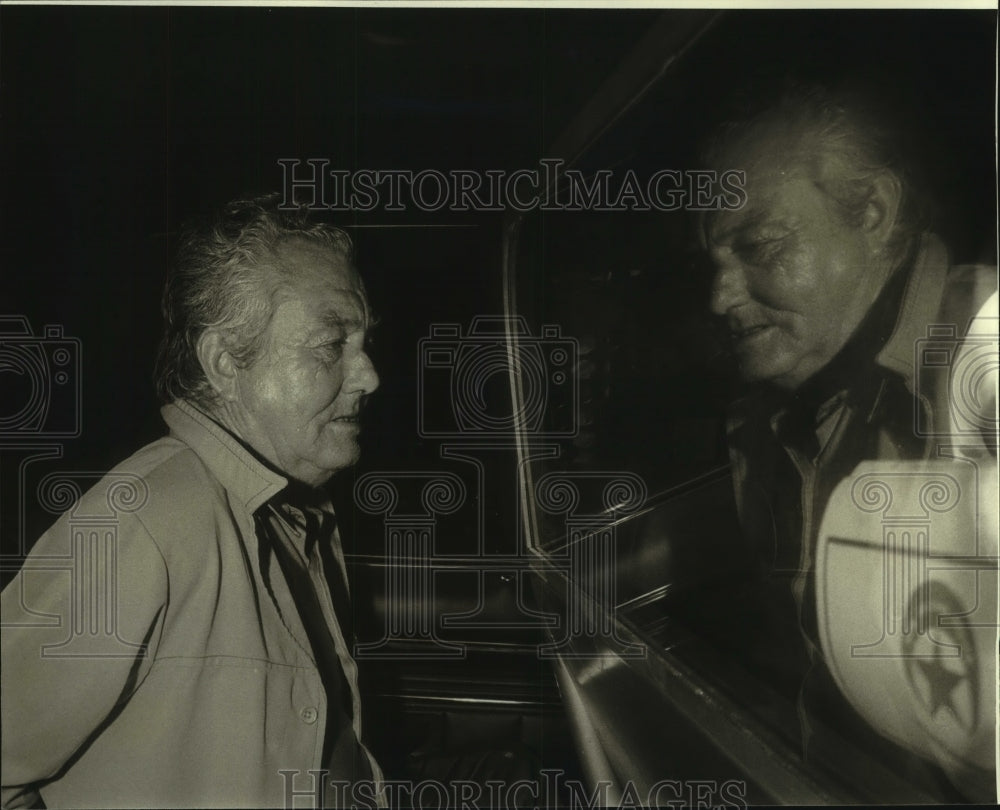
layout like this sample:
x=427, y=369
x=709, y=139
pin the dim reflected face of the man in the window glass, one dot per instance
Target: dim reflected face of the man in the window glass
x=792, y=279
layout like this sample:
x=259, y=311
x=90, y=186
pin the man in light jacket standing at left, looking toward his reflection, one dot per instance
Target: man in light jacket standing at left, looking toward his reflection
x=228, y=678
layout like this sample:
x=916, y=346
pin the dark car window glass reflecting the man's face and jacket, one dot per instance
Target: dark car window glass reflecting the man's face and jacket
x=719, y=564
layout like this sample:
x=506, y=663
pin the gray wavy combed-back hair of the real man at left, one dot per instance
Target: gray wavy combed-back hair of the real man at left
x=224, y=277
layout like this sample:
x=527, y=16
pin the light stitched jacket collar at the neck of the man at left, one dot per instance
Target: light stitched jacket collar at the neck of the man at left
x=243, y=475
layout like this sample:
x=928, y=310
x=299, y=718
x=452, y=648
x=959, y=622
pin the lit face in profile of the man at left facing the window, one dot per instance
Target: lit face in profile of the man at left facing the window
x=299, y=401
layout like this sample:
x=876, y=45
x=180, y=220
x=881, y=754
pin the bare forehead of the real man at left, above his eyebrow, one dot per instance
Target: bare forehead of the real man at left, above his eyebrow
x=324, y=279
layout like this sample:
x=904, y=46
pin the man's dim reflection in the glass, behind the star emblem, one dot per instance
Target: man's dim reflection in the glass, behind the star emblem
x=827, y=281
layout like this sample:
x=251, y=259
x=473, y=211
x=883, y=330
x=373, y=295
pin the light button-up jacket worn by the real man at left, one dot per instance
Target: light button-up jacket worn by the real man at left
x=146, y=660
